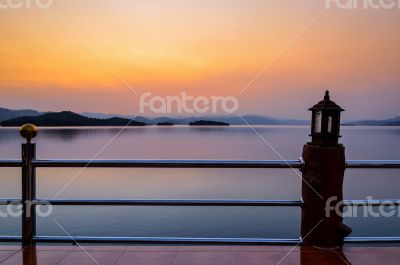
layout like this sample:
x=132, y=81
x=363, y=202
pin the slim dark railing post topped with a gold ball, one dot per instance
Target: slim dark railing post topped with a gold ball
x=28, y=131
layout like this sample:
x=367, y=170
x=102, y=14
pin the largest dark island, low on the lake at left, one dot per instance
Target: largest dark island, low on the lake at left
x=68, y=118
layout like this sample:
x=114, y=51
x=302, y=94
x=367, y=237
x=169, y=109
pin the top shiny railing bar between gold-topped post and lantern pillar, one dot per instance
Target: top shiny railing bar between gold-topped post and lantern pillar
x=171, y=163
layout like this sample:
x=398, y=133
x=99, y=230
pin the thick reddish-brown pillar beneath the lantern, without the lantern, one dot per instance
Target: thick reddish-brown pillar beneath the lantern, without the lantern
x=323, y=187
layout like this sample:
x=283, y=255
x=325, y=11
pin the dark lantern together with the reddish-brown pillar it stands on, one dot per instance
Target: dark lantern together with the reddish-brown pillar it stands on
x=323, y=174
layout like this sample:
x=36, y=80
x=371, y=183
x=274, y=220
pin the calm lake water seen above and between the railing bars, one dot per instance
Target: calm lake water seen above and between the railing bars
x=182, y=142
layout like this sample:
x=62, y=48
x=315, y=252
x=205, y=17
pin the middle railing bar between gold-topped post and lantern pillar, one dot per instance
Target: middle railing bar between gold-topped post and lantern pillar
x=282, y=203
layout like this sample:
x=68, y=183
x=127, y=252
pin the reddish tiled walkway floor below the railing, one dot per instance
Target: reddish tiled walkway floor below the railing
x=197, y=255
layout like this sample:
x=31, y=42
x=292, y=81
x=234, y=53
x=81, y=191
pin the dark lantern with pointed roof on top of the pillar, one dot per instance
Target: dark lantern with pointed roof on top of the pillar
x=325, y=127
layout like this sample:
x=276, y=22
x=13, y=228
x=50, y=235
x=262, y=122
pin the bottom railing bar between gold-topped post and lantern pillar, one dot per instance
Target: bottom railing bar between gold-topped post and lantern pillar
x=166, y=240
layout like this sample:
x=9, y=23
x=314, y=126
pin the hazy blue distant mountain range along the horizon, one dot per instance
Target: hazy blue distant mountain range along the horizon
x=115, y=119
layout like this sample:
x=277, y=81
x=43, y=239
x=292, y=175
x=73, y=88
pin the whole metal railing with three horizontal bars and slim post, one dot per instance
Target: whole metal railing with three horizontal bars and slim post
x=29, y=165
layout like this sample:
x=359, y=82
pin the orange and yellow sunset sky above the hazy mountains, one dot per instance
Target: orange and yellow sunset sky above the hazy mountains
x=82, y=55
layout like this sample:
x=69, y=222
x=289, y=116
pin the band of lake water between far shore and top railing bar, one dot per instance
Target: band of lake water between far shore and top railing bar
x=234, y=142
